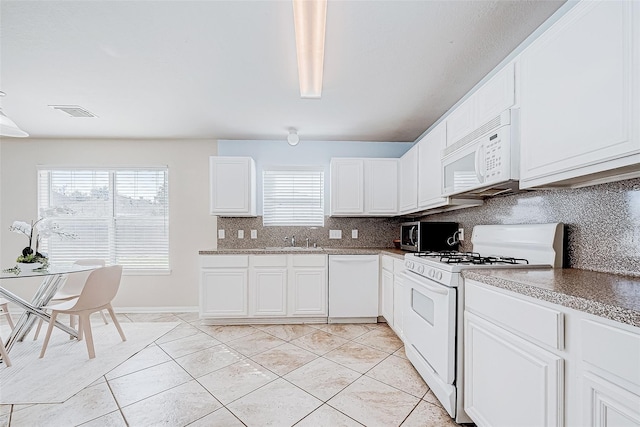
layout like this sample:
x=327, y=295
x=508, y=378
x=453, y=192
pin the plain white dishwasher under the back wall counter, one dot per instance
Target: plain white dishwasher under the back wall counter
x=353, y=288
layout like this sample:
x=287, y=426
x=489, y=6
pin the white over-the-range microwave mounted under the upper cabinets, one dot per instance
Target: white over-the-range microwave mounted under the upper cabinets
x=486, y=162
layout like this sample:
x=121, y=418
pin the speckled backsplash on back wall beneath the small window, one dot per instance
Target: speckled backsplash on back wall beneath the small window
x=372, y=233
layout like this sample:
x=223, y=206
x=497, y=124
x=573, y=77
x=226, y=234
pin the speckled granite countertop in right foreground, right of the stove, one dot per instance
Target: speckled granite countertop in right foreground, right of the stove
x=607, y=295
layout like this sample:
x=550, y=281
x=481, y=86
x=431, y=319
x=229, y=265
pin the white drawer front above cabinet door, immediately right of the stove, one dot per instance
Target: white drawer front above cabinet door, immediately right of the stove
x=542, y=324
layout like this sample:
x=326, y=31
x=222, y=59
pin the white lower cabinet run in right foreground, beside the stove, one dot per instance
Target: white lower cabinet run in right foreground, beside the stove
x=533, y=363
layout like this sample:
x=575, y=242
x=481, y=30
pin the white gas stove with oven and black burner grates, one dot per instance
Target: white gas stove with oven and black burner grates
x=434, y=298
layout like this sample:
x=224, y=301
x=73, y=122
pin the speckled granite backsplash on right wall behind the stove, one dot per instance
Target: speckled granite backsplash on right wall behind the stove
x=602, y=222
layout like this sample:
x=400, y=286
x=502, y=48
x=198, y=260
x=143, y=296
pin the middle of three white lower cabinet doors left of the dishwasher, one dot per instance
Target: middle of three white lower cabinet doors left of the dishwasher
x=268, y=291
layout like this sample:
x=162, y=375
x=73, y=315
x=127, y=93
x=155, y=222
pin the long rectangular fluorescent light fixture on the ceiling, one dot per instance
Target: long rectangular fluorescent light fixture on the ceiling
x=310, y=20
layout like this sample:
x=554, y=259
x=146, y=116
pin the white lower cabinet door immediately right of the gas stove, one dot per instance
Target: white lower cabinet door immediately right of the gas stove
x=509, y=381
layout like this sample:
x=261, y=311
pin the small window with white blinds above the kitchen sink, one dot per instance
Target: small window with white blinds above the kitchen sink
x=293, y=197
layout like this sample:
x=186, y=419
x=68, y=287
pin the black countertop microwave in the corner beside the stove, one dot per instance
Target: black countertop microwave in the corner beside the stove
x=425, y=236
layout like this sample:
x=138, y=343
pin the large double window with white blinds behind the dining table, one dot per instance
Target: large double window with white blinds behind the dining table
x=119, y=215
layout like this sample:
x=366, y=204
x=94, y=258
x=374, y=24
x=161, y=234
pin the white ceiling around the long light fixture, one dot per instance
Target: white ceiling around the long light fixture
x=228, y=70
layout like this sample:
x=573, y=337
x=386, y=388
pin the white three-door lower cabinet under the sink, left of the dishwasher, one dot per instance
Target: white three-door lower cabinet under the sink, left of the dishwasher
x=261, y=288
